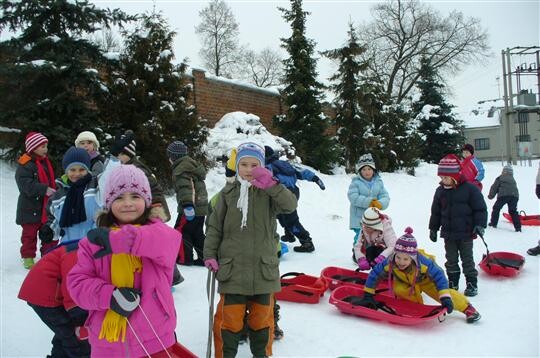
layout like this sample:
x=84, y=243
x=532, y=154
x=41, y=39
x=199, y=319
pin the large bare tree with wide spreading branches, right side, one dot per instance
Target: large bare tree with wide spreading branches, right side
x=402, y=32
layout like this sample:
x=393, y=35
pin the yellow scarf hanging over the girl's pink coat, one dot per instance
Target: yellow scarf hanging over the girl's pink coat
x=123, y=268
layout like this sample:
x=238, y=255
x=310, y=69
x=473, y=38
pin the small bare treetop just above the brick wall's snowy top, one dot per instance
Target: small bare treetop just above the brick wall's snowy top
x=263, y=69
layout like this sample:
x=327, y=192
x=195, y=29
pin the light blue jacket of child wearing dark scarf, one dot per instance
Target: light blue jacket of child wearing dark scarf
x=56, y=204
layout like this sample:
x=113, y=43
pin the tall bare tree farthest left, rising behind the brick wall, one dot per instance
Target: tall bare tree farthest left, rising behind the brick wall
x=218, y=31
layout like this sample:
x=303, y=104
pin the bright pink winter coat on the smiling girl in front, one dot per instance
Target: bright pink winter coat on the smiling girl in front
x=89, y=284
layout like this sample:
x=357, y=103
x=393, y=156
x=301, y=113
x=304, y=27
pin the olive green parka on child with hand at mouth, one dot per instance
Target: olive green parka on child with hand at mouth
x=248, y=264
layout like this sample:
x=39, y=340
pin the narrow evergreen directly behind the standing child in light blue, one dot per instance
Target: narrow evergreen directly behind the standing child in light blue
x=351, y=122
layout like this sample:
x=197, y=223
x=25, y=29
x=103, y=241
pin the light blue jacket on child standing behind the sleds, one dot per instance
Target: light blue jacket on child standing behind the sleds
x=361, y=193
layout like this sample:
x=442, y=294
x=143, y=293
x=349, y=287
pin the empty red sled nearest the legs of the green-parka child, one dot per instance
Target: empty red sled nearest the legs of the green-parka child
x=299, y=287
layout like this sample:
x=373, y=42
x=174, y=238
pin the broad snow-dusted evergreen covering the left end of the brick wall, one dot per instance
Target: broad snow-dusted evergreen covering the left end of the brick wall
x=149, y=96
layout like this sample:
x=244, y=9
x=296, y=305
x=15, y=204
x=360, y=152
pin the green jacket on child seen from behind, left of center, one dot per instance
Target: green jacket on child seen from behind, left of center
x=188, y=178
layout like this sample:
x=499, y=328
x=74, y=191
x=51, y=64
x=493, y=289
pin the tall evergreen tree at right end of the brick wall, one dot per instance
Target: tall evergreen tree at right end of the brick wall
x=304, y=123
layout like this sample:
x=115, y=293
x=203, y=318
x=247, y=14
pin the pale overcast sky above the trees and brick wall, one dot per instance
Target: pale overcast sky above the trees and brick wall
x=509, y=23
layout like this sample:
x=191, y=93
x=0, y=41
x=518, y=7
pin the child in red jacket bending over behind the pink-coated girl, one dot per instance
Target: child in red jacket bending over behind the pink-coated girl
x=45, y=290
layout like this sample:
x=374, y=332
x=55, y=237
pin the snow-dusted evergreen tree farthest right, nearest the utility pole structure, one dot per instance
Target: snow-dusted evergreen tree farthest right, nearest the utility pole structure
x=441, y=131
